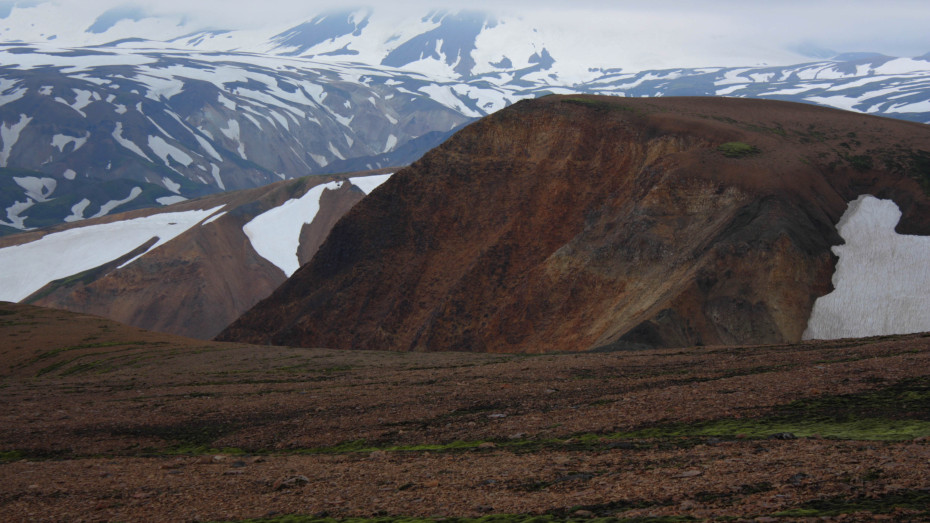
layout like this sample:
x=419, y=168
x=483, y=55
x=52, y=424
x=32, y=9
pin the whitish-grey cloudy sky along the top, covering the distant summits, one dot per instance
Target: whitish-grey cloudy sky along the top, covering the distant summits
x=898, y=27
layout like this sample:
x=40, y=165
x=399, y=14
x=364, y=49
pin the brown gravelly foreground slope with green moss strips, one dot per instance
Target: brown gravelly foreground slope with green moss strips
x=103, y=422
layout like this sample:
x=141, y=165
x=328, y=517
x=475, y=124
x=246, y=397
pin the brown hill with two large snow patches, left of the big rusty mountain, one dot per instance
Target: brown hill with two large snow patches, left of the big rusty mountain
x=189, y=268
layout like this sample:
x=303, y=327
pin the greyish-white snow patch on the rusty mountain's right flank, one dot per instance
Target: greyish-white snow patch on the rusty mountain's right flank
x=882, y=279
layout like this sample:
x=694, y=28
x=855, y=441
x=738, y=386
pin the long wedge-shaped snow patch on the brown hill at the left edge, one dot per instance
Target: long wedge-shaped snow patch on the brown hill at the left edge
x=29, y=267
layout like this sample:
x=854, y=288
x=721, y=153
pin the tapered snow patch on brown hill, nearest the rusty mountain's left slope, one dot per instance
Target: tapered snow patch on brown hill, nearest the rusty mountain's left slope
x=275, y=234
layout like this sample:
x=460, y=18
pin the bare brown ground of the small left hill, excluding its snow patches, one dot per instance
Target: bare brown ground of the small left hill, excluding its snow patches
x=199, y=282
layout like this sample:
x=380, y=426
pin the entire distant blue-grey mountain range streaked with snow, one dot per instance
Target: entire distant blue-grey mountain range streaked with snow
x=115, y=111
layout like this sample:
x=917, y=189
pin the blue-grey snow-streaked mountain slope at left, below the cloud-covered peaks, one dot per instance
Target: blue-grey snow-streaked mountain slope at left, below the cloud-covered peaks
x=82, y=137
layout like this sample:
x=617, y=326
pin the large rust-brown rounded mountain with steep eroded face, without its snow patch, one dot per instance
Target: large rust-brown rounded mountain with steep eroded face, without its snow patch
x=573, y=223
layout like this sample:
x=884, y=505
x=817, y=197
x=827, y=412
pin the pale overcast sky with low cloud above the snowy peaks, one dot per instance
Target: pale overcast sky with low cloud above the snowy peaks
x=895, y=27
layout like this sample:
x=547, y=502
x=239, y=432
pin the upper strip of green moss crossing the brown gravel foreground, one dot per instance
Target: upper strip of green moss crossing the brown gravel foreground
x=900, y=412
